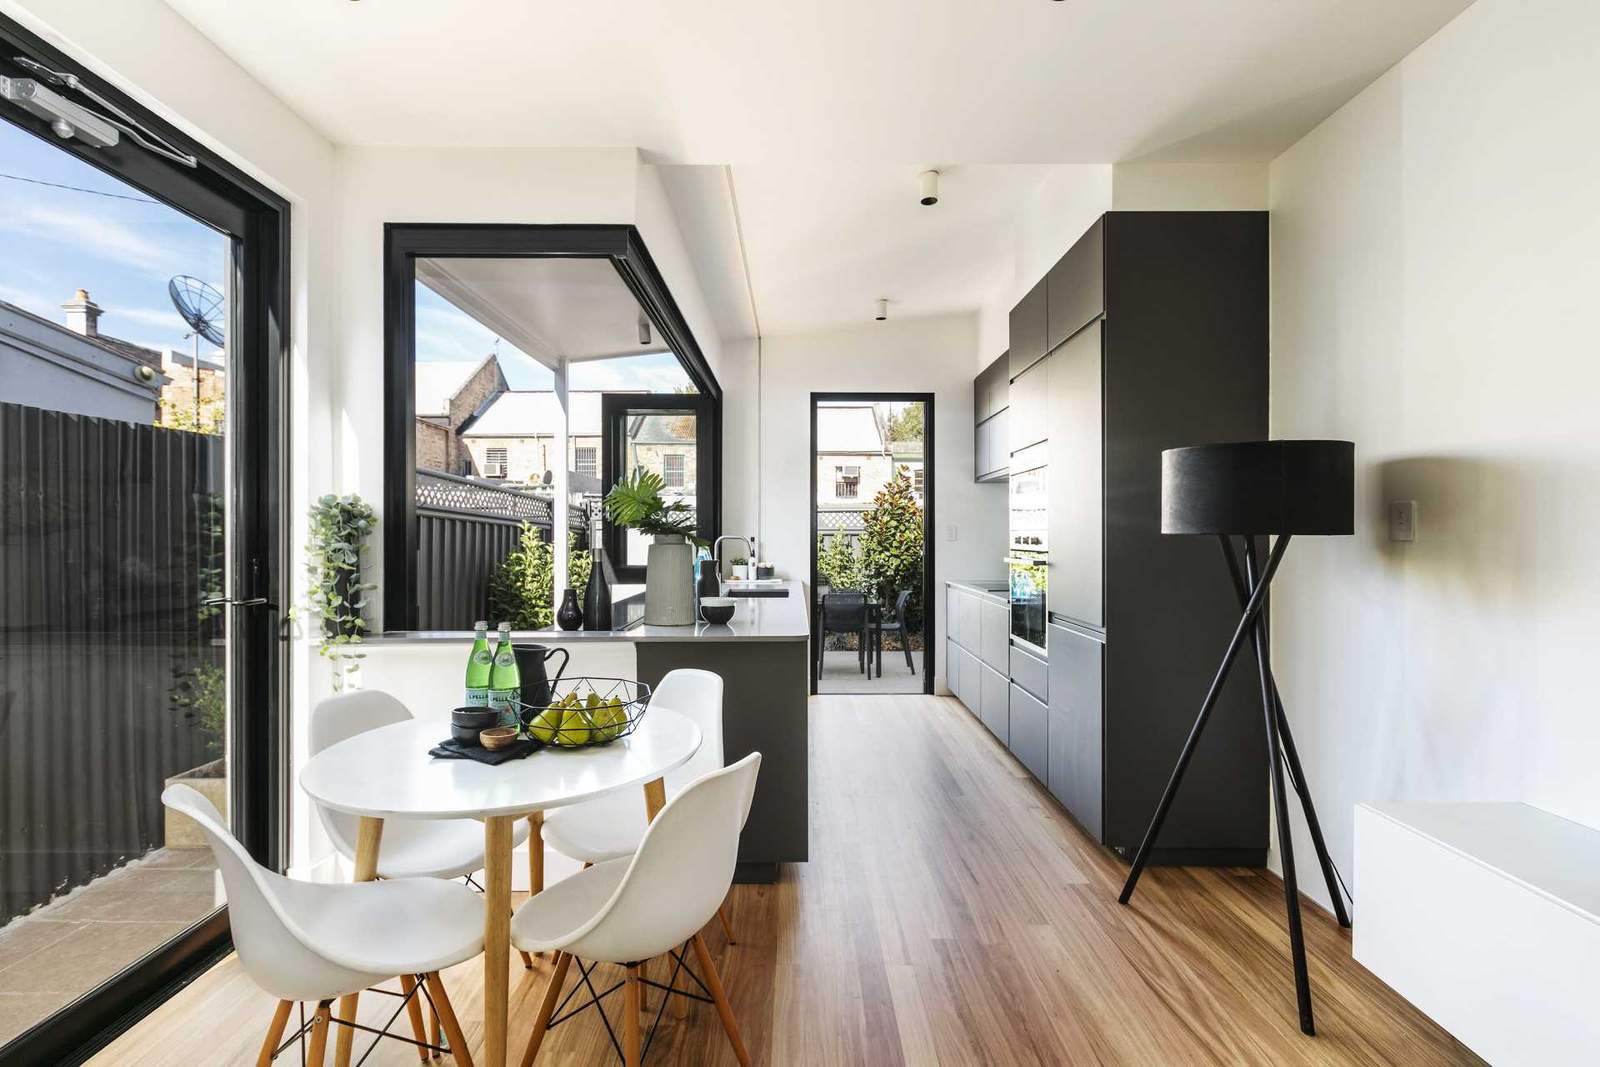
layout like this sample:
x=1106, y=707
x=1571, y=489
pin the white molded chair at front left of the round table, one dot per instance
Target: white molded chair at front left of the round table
x=305, y=941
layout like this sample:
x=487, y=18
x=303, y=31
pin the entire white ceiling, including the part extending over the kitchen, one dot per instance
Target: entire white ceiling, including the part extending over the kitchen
x=826, y=111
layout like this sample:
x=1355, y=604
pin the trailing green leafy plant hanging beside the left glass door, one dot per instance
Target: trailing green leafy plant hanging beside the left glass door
x=335, y=593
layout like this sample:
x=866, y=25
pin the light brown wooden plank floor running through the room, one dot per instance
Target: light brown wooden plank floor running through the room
x=951, y=914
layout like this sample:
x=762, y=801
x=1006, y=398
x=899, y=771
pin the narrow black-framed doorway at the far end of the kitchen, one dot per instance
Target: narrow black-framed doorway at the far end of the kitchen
x=926, y=404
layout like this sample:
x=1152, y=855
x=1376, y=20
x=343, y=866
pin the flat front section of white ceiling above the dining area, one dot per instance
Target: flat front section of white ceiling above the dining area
x=764, y=81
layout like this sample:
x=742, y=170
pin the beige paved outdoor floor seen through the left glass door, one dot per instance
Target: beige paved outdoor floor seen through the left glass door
x=58, y=953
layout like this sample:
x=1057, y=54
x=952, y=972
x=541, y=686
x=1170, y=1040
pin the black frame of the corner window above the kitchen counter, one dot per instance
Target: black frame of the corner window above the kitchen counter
x=404, y=246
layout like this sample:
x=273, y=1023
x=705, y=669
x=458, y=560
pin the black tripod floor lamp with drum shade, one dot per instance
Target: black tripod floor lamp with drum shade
x=1254, y=490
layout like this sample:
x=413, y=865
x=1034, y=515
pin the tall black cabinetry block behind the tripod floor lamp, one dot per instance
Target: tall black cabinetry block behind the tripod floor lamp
x=1156, y=326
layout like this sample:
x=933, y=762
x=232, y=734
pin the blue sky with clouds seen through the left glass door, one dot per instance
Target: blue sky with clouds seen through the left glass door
x=122, y=250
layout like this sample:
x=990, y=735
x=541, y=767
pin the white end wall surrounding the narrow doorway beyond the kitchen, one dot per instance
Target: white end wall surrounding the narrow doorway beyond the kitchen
x=900, y=356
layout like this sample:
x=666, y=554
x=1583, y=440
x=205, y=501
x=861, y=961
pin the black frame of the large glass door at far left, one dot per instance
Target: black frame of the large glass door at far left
x=222, y=196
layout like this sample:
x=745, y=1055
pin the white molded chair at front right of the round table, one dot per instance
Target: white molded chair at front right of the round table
x=633, y=909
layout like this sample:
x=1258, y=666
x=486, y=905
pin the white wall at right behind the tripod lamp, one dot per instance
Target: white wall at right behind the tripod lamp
x=1436, y=265
